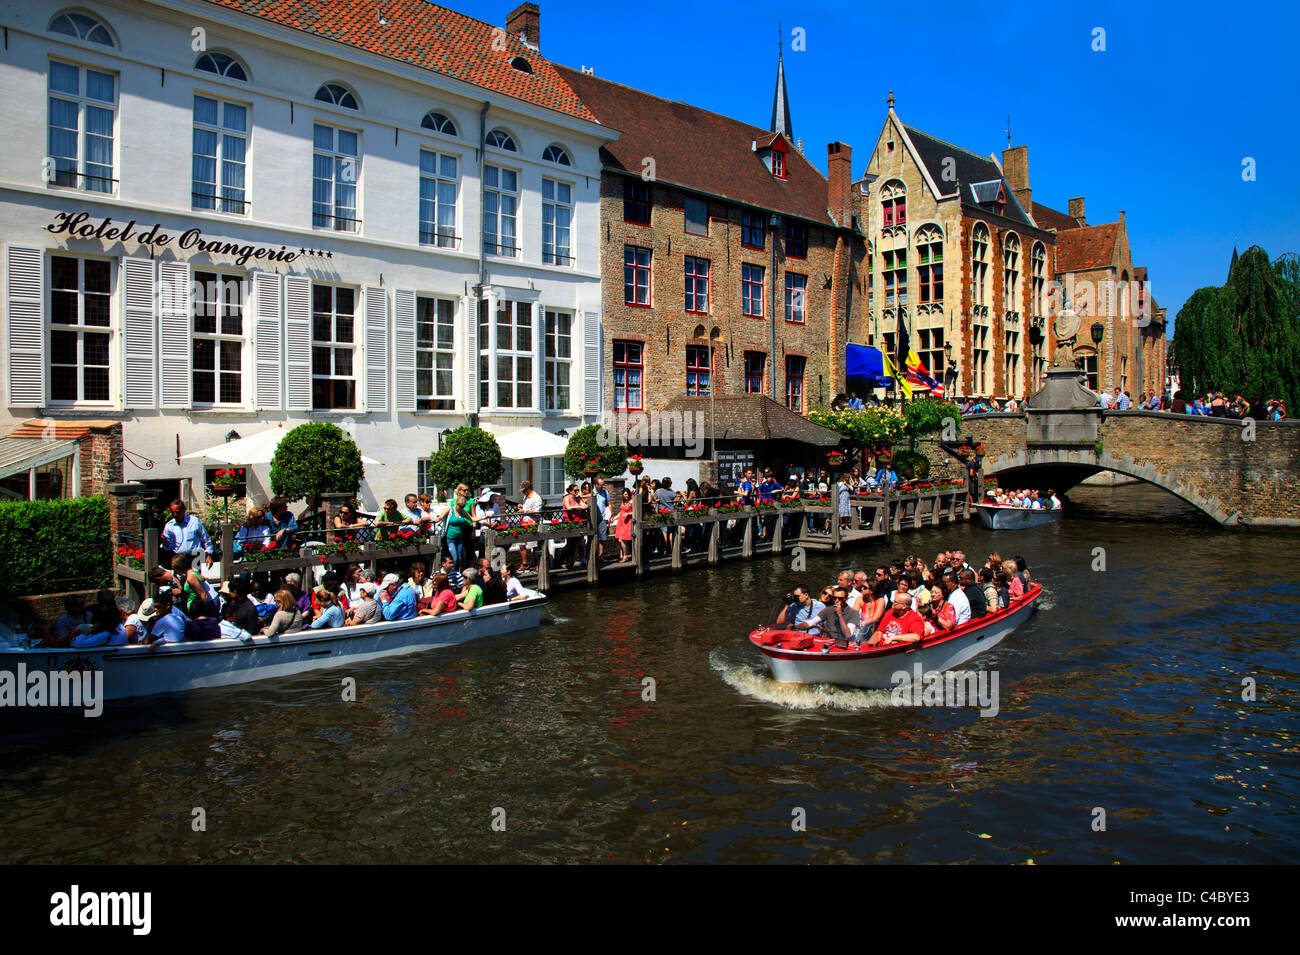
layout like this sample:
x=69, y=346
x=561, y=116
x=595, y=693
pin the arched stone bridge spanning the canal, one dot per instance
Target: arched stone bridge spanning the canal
x=1237, y=472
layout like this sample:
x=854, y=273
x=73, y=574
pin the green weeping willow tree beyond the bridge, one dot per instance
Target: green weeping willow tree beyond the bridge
x=1245, y=337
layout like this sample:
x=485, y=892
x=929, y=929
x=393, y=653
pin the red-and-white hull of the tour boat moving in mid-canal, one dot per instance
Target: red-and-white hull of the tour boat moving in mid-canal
x=798, y=658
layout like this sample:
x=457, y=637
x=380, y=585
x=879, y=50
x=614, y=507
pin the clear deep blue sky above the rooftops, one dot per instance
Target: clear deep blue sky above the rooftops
x=1159, y=124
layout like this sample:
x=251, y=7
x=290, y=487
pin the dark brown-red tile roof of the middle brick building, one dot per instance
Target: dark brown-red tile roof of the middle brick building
x=699, y=150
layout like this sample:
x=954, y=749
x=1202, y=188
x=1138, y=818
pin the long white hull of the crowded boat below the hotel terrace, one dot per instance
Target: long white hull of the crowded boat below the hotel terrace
x=138, y=671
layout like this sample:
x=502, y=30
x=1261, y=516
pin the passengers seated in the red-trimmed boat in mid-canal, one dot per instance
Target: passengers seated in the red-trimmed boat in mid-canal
x=907, y=601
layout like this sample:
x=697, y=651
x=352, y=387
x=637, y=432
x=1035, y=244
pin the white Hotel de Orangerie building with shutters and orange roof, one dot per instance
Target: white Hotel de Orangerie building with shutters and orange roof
x=215, y=222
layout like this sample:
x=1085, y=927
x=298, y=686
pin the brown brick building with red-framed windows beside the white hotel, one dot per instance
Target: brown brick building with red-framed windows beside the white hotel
x=727, y=259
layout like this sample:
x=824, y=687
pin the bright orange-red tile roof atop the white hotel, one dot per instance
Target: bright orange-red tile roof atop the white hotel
x=427, y=36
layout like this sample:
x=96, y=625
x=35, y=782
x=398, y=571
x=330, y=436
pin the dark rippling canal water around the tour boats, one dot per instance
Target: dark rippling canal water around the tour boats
x=1124, y=696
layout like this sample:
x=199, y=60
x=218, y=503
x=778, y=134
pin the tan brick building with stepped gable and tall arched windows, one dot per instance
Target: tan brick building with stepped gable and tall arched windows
x=956, y=255
